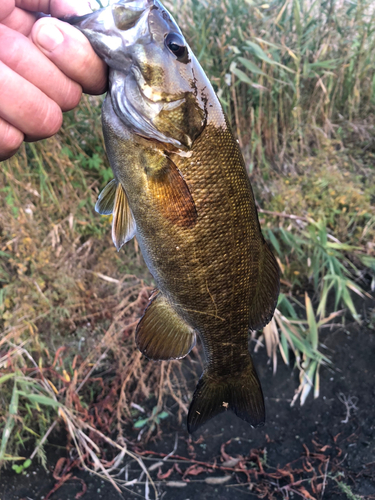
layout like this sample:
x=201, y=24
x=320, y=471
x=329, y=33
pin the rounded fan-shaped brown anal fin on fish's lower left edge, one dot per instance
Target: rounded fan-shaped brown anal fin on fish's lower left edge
x=161, y=333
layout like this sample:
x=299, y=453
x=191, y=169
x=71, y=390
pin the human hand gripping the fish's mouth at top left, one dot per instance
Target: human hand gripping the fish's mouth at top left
x=45, y=65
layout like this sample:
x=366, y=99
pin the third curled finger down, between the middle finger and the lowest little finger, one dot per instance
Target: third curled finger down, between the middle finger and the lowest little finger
x=26, y=108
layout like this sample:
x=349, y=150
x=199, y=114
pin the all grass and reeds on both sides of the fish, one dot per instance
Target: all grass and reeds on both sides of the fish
x=297, y=80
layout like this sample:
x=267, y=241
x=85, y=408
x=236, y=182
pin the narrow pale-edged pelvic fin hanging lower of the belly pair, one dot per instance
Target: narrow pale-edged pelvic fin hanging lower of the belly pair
x=123, y=224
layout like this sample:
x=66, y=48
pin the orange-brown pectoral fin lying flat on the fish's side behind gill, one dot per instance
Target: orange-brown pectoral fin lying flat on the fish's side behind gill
x=171, y=193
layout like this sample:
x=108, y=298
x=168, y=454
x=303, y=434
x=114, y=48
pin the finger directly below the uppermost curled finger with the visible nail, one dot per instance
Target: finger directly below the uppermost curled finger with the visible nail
x=21, y=55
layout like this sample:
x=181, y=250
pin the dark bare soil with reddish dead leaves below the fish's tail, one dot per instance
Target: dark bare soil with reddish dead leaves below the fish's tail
x=295, y=455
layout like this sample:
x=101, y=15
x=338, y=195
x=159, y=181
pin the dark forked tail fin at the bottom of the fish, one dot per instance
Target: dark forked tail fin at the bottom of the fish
x=239, y=392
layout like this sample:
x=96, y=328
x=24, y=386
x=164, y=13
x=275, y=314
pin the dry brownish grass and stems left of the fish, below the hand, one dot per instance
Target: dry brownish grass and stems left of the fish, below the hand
x=69, y=303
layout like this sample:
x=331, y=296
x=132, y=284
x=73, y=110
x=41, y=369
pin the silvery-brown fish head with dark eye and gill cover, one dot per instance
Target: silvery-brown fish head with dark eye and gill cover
x=157, y=86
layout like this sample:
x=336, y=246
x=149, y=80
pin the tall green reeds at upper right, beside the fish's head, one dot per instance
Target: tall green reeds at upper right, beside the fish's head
x=288, y=71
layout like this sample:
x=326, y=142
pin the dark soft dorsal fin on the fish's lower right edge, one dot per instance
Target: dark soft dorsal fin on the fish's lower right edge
x=268, y=286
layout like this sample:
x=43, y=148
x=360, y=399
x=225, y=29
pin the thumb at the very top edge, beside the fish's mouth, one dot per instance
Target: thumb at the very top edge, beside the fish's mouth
x=57, y=8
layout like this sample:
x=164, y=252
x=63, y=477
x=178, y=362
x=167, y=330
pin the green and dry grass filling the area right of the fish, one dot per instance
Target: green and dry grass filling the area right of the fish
x=297, y=80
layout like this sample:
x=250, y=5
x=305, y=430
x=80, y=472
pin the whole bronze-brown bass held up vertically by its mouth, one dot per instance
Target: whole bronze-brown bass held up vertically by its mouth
x=181, y=187
